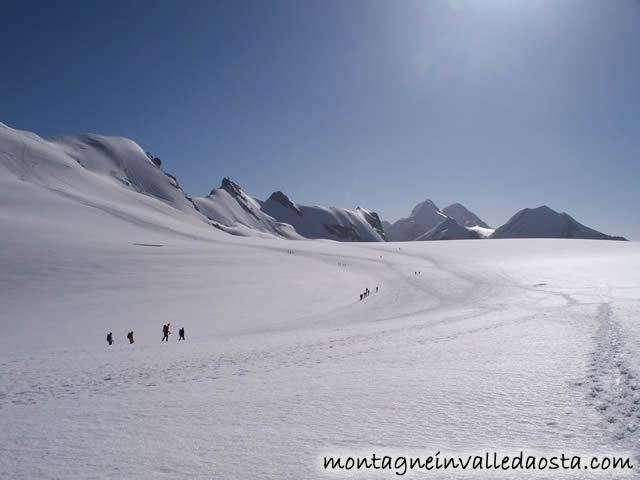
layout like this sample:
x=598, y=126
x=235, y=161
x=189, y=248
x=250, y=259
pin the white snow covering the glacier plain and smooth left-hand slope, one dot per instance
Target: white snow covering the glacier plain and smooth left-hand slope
x=502, y=344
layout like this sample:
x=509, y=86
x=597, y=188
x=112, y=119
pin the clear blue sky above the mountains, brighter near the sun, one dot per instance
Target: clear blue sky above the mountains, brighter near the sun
x=497, y=104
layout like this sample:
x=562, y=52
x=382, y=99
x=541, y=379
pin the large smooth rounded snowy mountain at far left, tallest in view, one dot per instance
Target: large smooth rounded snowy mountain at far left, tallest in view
x=94, y=179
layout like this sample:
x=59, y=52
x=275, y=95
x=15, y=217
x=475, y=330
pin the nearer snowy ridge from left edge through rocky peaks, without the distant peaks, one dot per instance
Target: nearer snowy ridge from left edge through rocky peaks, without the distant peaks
x=116, y=177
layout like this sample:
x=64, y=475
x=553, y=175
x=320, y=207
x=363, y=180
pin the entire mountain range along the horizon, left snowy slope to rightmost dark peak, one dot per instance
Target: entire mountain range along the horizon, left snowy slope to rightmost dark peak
x=115, y=176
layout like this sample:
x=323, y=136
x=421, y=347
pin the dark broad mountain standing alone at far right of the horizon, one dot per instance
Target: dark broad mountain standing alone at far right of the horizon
x=543, y=222
